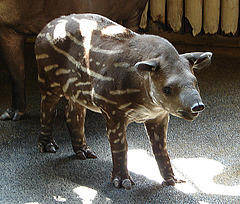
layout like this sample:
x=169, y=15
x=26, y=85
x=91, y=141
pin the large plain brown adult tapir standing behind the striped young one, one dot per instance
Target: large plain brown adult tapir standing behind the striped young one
x=21, y=18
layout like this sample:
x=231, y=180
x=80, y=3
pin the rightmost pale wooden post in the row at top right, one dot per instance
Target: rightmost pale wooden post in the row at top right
x=229, y=16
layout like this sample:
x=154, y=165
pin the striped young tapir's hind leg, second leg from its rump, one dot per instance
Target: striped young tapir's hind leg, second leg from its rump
x=75, y=118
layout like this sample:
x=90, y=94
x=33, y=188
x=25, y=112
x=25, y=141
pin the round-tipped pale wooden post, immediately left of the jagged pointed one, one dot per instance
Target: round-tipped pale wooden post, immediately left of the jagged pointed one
x=175, y=14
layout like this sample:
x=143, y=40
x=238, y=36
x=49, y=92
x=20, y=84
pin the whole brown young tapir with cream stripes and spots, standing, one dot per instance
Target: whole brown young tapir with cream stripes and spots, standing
x=97, y=64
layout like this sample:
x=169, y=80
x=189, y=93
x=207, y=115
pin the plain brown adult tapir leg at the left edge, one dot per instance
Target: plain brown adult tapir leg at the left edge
x=12, y=45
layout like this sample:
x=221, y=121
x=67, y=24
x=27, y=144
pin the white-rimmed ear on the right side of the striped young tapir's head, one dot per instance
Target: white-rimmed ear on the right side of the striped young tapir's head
x=198, y=60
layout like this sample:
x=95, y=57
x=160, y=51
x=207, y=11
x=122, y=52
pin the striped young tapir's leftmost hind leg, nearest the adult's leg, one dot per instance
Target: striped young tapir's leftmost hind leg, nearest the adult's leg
x=46, y=142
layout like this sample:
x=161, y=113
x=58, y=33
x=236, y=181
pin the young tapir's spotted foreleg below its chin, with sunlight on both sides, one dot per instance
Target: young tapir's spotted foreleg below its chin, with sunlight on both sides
x=157, y=132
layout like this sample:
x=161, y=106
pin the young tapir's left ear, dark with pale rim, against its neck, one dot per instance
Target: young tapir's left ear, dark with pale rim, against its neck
x=147, y=66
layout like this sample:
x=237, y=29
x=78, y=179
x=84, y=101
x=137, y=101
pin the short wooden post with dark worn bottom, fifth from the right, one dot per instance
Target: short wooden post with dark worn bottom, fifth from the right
x=157, y=10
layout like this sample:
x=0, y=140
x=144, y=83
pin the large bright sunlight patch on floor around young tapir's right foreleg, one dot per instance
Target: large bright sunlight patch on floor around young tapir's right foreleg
x=198, y=172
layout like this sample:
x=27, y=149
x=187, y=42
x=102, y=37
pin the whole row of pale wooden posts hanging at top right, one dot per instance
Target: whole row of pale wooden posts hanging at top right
x=196, y=16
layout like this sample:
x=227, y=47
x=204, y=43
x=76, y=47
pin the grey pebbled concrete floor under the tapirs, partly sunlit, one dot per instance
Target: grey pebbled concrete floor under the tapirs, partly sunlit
x=205, y=152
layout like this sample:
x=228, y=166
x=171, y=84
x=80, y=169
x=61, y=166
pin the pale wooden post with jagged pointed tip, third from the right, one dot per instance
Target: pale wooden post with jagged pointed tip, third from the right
x=193, y=12
